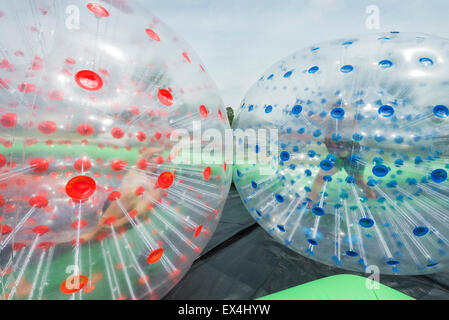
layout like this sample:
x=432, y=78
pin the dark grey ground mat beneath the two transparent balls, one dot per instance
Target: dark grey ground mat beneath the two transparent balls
x=243, y=262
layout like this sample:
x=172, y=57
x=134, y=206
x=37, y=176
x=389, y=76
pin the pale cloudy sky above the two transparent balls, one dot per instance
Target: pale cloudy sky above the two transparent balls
x=239, y=39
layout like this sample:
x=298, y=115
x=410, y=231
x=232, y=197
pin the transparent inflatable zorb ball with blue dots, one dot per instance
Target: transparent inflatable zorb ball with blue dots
x=359, y=178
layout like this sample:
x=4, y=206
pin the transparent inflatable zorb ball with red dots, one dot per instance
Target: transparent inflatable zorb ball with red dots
x=96, y=199
